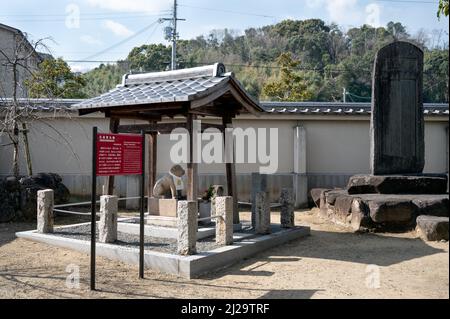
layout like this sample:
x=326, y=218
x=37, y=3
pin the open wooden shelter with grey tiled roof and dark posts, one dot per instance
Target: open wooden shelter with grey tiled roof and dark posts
x=191, y=93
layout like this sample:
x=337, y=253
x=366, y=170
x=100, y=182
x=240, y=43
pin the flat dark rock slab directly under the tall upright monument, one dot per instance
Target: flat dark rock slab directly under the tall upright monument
x=397, y=184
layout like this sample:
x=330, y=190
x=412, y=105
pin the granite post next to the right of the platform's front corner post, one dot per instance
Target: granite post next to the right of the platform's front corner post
x=224, y=224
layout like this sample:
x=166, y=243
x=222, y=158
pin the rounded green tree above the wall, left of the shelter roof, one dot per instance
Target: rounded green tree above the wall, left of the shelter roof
x=54, y=79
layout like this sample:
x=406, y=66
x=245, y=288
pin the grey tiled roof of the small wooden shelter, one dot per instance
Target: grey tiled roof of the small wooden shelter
x=166, y=87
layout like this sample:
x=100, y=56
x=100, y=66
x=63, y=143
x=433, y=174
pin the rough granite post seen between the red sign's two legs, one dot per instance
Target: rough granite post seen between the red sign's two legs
x=107, y=227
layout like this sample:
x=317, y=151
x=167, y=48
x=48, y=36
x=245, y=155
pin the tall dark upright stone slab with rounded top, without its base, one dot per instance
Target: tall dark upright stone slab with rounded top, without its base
x=397, y=118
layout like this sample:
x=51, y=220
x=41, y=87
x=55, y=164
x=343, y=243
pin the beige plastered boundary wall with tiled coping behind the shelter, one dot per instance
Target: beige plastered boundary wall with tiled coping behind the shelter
x=319, y=145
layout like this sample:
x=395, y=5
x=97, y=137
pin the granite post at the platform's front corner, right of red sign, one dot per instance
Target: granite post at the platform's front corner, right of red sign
x=187, y=227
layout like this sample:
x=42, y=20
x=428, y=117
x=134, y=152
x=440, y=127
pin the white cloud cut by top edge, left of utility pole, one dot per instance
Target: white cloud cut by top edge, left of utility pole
x=148, y=6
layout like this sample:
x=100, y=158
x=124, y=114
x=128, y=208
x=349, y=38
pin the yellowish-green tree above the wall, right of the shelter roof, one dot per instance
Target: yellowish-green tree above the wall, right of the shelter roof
x=290, y=84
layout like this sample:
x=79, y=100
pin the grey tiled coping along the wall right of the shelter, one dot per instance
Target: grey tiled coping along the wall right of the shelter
x=332, y=108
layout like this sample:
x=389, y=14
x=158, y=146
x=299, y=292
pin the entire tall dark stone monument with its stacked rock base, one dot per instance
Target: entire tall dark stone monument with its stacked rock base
x=396, y=191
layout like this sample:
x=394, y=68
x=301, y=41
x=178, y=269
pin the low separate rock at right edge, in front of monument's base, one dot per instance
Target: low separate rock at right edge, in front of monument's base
x=432, y=228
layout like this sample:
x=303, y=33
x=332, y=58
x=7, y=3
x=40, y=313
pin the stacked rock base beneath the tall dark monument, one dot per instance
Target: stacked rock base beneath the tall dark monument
x=384, y=202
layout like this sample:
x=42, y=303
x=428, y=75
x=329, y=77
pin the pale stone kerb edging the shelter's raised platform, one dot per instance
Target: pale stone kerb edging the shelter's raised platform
x=245, y=245
